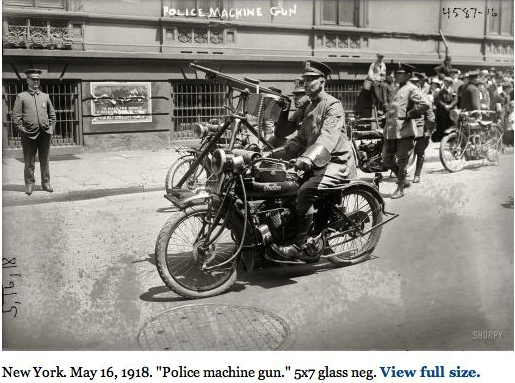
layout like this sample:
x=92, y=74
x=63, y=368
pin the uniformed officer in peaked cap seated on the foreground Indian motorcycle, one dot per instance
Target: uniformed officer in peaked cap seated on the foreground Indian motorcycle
x=321, y=148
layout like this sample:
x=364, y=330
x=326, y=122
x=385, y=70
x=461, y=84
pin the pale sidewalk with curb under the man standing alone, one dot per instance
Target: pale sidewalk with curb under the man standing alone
x=90, y=175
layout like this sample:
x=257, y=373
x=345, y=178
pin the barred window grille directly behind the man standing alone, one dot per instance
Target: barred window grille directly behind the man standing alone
x=64, y=97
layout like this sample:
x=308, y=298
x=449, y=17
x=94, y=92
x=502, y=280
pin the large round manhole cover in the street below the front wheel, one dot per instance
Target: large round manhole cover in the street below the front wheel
x=214, y=327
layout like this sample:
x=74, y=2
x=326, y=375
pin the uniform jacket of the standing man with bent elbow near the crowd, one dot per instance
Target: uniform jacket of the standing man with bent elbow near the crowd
x=407, y=104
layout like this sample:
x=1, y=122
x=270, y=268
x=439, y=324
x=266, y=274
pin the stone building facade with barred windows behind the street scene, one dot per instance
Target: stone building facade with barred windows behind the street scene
x=118, y=70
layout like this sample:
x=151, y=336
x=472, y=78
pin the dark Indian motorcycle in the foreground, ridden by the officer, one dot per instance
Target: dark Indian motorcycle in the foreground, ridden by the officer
x=250, y=206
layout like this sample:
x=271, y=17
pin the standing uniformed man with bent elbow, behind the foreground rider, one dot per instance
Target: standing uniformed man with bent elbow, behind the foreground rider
x=400, y=128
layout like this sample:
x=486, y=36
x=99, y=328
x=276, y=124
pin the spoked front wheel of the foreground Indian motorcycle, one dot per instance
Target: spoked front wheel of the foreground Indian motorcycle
x=181, y=254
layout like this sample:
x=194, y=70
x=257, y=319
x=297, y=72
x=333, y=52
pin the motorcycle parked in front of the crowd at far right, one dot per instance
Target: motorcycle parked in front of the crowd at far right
x=474, y=136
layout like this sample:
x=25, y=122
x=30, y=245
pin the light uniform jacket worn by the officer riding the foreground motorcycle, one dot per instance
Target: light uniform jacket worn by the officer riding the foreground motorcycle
x=322, y=124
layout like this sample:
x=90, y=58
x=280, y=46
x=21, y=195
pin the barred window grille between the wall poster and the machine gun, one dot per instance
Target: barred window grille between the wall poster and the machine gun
x=193, y=102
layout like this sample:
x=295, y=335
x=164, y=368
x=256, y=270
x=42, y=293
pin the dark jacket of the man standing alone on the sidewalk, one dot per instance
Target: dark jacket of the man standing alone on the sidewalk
x=33, y=112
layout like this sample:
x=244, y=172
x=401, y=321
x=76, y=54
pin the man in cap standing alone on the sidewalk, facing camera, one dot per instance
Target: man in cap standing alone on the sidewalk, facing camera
x=34, y=117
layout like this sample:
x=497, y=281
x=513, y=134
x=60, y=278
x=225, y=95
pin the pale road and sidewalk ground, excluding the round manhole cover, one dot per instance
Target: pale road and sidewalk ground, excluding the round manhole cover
x=86, y=280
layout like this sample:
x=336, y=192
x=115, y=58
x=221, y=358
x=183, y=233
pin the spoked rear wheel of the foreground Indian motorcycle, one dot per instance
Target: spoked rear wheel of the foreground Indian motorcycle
x=353, y=243
